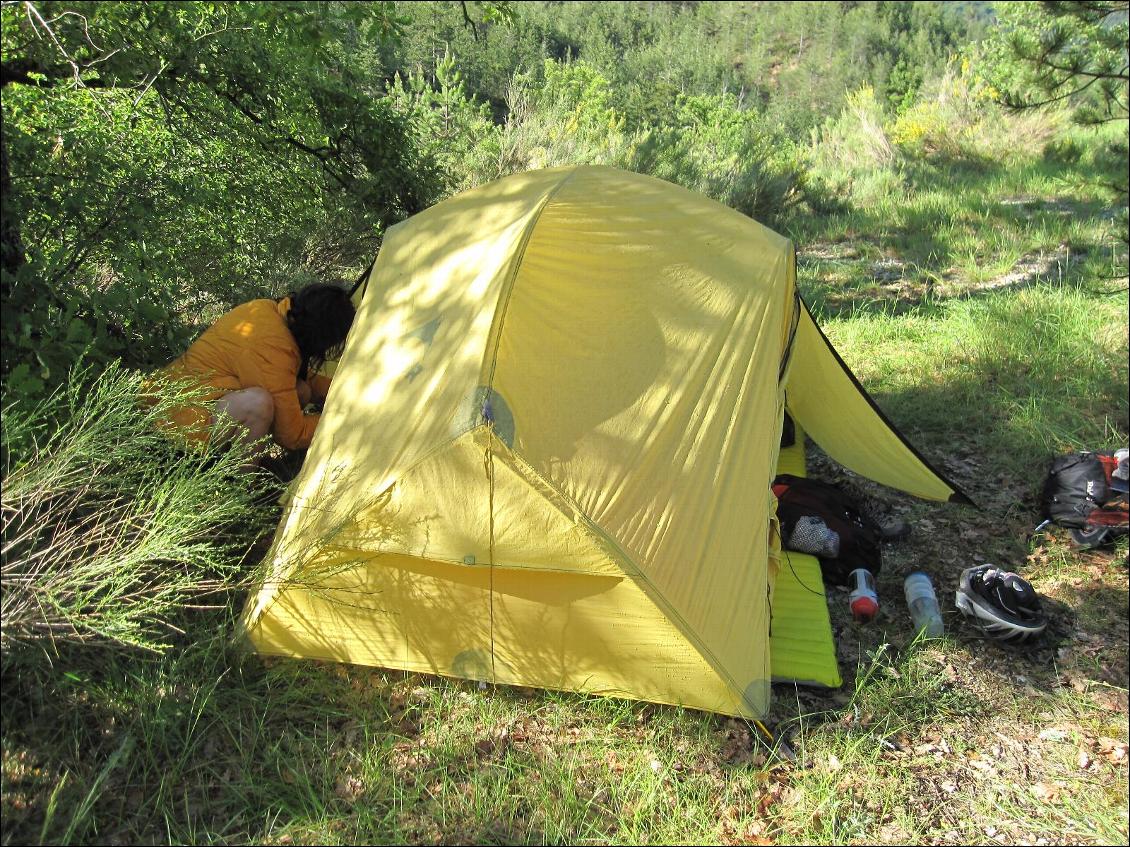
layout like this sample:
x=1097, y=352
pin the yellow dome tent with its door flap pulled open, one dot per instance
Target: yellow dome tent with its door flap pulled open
x=547, y=452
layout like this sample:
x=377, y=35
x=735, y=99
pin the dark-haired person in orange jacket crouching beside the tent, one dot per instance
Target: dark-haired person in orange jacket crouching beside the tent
x=257, y=366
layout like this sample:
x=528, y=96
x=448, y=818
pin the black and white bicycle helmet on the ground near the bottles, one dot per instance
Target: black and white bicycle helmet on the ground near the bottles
x=1002, y=605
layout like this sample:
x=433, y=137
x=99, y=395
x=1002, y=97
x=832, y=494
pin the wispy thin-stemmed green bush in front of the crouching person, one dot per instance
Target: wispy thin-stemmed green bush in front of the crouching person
x=110, y=530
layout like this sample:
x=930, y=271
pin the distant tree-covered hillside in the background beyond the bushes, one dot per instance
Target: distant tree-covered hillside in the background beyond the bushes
x=793, y=60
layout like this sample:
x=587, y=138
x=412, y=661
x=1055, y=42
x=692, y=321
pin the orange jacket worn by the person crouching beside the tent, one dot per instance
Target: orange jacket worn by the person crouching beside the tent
x=249, y=347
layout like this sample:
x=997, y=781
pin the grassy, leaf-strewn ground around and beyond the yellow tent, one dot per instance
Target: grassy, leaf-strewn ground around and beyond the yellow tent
x=946, y=743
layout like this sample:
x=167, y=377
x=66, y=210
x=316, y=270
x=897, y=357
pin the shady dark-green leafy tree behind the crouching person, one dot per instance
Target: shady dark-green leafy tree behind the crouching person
x=154, y=153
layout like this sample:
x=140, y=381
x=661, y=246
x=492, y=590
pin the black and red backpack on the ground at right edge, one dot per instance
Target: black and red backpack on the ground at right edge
x=1083, y=493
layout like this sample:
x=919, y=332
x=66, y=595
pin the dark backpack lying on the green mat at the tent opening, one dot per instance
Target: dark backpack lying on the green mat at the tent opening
x=860, y=538
